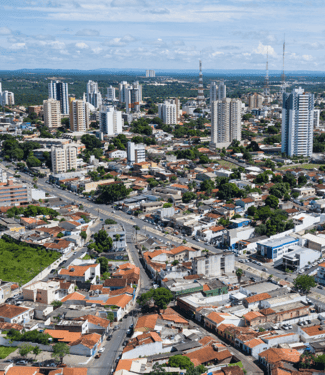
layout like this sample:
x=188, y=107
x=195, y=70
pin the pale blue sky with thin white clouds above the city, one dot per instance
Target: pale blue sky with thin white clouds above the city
x=165, y=34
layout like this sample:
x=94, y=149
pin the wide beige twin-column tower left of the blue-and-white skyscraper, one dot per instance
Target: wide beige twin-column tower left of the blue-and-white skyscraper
x=225, y=121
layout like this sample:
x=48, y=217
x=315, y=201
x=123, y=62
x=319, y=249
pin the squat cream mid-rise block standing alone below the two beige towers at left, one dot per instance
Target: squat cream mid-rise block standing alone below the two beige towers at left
x=64, y=158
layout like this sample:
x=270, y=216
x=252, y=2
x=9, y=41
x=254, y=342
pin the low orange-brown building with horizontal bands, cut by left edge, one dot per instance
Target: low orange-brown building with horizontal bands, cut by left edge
x=14, y=194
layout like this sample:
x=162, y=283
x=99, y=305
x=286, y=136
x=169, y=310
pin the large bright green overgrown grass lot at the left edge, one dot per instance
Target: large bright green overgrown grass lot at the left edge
x=20, y=262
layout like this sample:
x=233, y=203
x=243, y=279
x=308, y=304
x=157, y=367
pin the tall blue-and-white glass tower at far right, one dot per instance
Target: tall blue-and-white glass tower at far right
x=297, y=123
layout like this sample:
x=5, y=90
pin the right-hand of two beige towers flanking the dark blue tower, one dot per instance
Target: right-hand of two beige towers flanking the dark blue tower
x=79, y=115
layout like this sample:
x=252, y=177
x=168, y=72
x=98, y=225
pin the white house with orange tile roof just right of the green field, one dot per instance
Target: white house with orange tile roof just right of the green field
x=81, y=273
